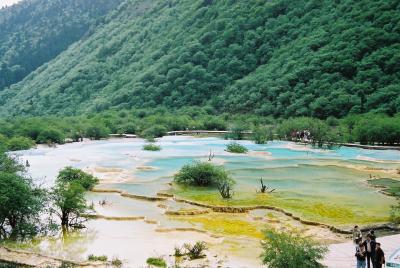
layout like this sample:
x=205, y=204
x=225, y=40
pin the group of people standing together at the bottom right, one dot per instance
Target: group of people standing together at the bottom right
x=368, y=252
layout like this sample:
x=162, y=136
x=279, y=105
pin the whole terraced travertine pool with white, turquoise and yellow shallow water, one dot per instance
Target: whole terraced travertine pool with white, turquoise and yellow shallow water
x=325, y=186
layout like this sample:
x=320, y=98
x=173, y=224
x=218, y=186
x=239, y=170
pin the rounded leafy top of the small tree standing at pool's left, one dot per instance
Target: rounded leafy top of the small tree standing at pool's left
x=70, y=174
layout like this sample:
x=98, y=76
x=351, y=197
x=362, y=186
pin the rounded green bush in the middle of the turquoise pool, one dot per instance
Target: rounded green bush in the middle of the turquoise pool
x=202, y=174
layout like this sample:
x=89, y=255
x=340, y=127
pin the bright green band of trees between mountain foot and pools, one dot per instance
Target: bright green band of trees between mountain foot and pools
x=24, y=133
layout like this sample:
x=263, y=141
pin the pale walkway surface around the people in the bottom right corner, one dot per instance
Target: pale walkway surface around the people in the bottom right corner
x=342, y=255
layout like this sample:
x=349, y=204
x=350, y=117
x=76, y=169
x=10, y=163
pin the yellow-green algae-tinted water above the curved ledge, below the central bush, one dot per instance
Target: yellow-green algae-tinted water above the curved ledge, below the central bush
x=343, y=212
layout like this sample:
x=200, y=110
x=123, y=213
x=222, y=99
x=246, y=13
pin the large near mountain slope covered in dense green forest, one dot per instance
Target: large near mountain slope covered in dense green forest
x=278, y=57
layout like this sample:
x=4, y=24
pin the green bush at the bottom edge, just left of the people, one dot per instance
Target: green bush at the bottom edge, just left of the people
x=291, y=251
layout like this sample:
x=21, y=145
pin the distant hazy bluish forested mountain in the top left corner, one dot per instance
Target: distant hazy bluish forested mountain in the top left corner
x=35, y=31
